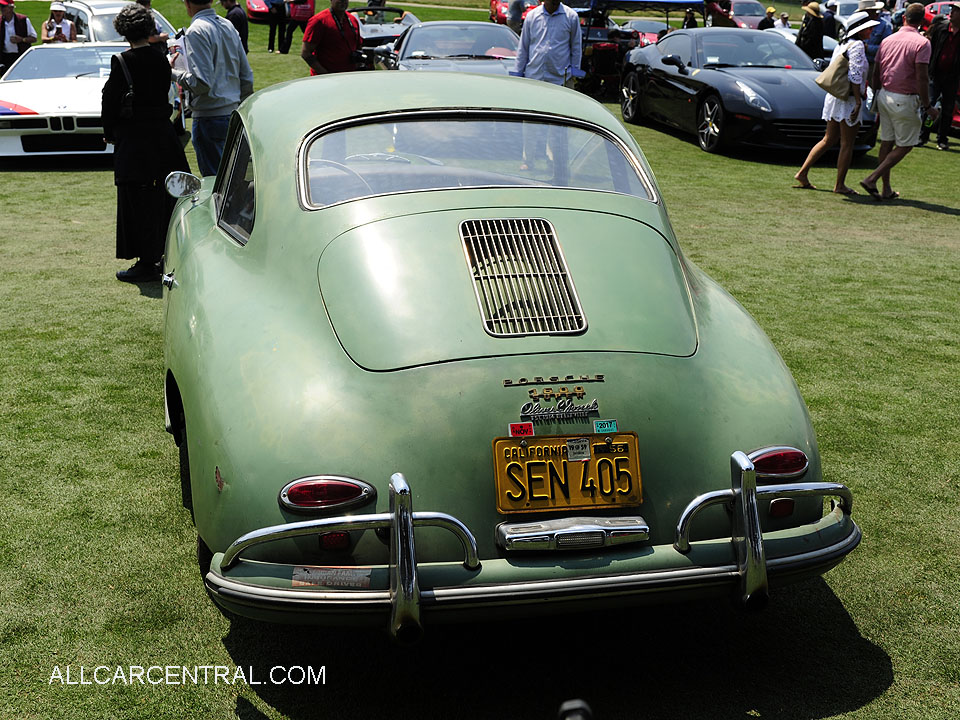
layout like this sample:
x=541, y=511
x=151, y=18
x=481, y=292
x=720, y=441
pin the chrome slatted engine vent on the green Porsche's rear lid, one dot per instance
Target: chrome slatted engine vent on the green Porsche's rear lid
x=521, y=279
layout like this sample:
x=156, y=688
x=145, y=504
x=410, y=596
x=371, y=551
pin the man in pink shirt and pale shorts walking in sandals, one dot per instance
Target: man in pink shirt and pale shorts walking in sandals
x=901, y=82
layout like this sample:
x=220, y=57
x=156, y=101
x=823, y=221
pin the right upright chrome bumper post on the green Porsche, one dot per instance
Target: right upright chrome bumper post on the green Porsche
x=747, y=535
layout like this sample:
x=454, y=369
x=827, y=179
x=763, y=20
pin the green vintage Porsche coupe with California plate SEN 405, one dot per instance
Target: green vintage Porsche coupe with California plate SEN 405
x=433, y=351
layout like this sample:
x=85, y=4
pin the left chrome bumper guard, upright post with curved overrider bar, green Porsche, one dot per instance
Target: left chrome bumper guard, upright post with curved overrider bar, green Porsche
x=401, y=520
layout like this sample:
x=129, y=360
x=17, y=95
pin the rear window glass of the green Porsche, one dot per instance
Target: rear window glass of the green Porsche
x=438, y=153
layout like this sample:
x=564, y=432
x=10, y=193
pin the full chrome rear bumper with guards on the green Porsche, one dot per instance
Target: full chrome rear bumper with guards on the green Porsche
x=405, y=599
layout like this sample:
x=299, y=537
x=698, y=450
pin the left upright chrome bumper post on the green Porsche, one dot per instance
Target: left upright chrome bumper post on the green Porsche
x=404, y=589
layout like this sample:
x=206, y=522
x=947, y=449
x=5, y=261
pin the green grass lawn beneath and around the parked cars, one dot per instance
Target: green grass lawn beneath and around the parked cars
x=97, y=556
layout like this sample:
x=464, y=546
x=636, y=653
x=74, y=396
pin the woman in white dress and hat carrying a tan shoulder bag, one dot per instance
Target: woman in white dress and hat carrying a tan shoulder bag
x=843, y=116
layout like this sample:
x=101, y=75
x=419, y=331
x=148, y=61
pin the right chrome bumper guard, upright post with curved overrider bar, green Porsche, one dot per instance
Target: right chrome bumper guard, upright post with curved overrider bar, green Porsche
x=747, y=536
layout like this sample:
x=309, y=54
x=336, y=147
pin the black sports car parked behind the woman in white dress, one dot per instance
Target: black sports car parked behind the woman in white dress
x=729, y=86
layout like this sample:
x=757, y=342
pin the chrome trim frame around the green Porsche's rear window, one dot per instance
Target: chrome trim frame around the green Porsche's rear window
x=303, y=179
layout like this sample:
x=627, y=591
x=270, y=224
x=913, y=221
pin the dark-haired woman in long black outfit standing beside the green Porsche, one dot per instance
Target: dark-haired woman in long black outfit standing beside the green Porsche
x=146, y=147
